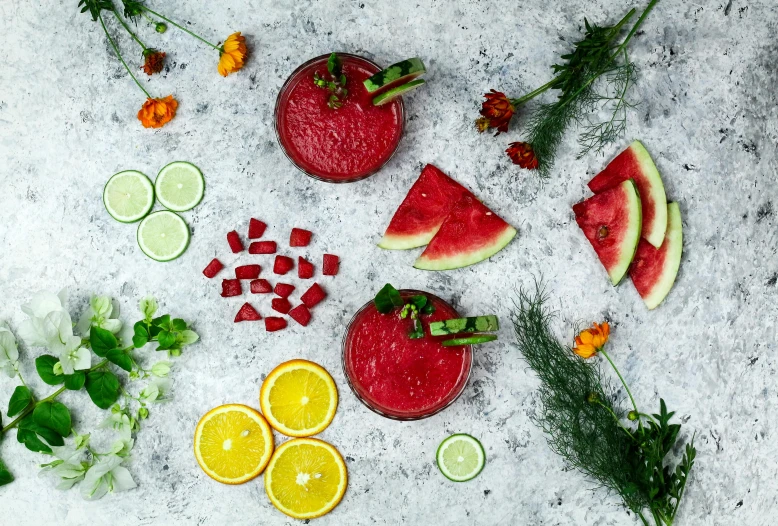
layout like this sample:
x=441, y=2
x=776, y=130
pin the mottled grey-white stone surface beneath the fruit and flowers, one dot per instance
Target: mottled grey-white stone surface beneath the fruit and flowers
x=707, y=114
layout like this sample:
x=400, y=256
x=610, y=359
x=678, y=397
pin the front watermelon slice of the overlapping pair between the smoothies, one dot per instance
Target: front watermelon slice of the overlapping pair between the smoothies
x=469, y=234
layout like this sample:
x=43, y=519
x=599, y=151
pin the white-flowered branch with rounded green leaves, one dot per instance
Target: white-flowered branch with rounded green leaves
x=44, y=424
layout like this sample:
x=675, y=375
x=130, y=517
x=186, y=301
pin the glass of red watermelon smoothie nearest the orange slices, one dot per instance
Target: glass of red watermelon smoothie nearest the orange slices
x=398, y=377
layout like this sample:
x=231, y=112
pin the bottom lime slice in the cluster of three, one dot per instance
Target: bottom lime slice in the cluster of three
x=163, y=236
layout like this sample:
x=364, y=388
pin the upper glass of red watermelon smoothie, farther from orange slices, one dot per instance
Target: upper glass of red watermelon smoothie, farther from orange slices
x=340, y=145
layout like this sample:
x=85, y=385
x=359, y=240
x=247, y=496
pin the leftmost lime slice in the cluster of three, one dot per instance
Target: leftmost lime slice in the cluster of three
x=128, y=196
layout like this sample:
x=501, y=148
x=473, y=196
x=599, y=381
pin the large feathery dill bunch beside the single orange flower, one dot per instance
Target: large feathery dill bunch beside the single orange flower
x=584, y=420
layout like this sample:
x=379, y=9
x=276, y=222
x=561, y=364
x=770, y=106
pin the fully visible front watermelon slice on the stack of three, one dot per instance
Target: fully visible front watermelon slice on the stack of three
x=611, y=221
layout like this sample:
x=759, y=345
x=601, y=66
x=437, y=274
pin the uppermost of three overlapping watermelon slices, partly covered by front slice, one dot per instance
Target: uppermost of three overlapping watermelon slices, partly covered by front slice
x=635, y=163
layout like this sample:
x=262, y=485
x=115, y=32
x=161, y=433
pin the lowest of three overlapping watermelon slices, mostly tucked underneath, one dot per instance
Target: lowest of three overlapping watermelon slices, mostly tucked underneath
x=654, y=270
